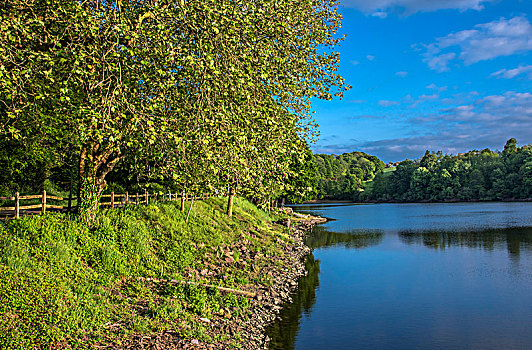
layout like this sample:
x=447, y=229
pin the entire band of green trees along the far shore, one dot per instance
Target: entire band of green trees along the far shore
x=475, y=175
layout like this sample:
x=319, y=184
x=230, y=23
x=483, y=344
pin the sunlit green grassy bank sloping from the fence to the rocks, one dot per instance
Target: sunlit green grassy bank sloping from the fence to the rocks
x=64, y=285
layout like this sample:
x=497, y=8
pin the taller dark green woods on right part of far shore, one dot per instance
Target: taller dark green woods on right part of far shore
x=476, y=175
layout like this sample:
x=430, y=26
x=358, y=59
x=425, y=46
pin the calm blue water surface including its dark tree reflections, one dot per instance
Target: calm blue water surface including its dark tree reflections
x=414, y=276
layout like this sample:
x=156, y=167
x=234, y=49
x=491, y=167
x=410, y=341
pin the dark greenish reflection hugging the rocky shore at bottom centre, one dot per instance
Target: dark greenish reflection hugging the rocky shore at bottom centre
x=283, y=332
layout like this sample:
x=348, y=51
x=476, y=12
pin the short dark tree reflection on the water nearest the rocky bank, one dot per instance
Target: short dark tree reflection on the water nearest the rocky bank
x=320, y=237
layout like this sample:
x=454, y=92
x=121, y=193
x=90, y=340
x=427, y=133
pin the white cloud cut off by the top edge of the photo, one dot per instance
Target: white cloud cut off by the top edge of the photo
x=381, y=8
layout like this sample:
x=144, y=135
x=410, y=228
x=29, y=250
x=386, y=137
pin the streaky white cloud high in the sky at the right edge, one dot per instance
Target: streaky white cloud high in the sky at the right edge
x=485, y=42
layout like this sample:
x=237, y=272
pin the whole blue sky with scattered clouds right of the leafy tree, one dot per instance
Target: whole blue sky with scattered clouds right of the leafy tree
x=449, y=75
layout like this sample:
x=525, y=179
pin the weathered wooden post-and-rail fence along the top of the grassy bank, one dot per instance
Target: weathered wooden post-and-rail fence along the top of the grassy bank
x=111, y=200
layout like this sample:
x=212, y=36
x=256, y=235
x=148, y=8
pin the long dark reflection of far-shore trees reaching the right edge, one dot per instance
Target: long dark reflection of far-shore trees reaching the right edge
x=515, y=239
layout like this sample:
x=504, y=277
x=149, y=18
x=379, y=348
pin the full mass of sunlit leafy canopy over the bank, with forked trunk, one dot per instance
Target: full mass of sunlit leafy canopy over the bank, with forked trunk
x=214, y=94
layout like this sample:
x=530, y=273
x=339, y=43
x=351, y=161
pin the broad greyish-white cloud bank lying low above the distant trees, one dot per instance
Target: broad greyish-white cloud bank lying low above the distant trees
x=473, y=122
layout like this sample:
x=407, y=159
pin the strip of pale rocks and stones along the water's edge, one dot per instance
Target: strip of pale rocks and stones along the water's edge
x=249, y=327
